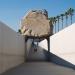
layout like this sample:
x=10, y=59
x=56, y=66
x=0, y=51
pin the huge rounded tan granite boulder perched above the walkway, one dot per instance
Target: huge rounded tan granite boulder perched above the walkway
x=35, y=23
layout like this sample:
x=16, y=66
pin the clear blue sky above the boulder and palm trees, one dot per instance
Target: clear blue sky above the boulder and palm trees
x=12, y=11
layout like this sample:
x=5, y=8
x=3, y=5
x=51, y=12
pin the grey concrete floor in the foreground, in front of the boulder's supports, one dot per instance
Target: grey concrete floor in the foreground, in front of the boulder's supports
x=40, y=68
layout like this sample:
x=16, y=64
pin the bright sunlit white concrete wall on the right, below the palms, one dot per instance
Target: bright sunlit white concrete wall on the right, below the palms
x=62, y=44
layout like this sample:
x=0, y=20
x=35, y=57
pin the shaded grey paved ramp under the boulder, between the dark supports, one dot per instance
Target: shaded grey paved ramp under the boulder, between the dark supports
x=38, y=55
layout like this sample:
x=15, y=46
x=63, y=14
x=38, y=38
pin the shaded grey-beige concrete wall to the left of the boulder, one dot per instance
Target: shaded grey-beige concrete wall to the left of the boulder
x=12, y=48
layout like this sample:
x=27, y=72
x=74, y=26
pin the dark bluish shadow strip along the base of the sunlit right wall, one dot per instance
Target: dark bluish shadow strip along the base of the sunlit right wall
x=57, y=60
